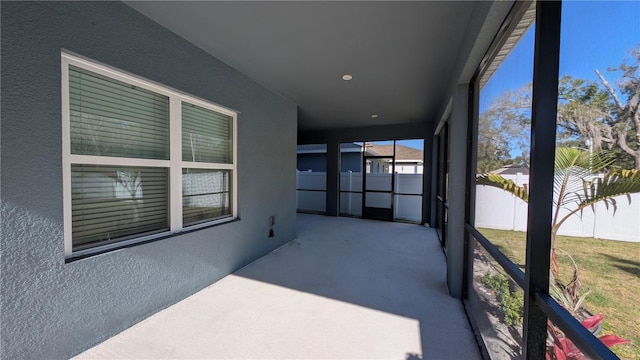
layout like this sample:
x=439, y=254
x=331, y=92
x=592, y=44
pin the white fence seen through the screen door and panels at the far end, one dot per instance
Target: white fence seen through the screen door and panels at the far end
x=311, y=196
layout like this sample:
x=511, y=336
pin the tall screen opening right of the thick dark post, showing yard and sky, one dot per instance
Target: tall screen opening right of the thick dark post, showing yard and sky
x=600, y=242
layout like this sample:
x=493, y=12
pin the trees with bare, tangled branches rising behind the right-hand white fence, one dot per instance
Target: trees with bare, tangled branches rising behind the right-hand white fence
x=590, y=115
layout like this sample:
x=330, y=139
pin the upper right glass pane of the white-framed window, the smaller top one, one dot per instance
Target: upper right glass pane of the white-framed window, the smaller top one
x=206, y=135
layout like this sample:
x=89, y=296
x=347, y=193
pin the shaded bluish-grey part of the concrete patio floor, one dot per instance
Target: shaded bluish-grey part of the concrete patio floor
x=391, y=267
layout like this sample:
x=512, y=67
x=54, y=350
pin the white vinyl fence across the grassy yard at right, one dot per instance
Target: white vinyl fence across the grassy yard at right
x=498, y=209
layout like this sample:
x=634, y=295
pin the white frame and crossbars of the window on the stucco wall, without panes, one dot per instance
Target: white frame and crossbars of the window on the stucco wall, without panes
x=174, y=165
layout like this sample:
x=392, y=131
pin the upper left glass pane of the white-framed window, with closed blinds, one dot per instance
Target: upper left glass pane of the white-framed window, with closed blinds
x=111, y=118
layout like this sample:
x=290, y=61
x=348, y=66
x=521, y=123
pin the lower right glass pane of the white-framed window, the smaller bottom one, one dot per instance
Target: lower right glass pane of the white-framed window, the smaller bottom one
x=205, y=195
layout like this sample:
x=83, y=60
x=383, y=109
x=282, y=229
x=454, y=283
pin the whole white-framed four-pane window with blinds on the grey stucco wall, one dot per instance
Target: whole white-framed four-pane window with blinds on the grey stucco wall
x=140, y=160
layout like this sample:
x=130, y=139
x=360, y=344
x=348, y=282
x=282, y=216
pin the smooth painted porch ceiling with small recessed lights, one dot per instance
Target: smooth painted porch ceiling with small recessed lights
x=403, y=56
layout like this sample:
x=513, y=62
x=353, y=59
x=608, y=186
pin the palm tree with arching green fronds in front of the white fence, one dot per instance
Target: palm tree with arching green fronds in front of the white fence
x=581, y=179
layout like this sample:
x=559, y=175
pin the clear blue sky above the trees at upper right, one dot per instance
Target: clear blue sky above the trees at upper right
x=594, y=35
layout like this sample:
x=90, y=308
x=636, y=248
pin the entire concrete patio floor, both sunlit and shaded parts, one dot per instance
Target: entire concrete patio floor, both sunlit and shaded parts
x=344, y=289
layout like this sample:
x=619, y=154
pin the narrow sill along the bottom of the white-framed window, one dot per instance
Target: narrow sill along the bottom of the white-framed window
x=107, y=248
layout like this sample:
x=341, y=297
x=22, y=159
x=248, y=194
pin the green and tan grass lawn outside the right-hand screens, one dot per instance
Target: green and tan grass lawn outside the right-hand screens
x=609, y=269
